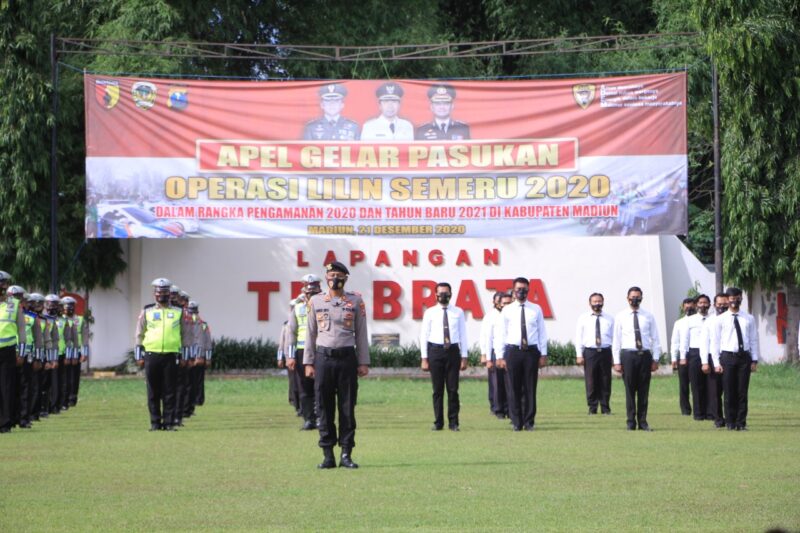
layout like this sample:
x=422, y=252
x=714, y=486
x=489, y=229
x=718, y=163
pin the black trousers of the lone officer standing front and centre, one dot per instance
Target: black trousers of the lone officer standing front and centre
x=336, y=386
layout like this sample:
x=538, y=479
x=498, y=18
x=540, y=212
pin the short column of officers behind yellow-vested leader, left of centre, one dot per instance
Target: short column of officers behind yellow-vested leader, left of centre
x=173, y=344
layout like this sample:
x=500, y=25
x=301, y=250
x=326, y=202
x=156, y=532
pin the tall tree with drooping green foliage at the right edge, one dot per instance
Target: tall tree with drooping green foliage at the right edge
x=756, y=45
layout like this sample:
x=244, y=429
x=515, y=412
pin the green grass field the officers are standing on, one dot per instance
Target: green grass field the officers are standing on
x=242, y=464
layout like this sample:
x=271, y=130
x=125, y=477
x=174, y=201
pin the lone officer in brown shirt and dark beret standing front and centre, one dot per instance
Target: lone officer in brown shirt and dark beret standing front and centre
x=336, y=354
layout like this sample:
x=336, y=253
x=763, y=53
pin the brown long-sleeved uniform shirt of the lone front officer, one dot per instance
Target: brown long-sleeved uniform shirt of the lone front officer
x=337, y=322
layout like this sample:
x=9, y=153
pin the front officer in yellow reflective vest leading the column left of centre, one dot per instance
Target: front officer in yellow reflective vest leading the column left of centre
x=159, y=342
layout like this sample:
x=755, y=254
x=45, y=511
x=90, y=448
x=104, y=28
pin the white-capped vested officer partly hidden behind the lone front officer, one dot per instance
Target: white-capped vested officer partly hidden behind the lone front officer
x=297, y=328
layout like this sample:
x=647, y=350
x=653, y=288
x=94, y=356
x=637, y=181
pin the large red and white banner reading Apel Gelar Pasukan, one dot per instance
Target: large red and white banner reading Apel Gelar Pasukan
x=172, y=158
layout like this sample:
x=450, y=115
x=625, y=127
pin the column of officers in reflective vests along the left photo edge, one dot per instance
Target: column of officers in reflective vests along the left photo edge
x=43, y=344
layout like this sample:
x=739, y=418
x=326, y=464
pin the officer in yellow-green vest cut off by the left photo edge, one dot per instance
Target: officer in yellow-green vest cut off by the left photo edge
x=12, y=338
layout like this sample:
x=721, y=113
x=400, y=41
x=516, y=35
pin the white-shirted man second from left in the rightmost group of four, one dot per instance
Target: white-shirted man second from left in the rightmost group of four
x=693, y=343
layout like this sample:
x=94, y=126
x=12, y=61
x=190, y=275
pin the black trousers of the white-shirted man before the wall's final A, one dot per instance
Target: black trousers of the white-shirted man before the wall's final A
x=522, y=367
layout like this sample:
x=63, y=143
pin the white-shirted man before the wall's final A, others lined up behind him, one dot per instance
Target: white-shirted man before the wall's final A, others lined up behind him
x=521, y=348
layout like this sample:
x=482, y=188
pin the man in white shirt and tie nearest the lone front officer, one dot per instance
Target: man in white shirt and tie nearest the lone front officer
x=443, y=346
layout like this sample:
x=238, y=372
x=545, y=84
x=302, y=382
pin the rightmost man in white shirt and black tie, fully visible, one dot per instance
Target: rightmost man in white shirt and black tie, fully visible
x=734, y=349
